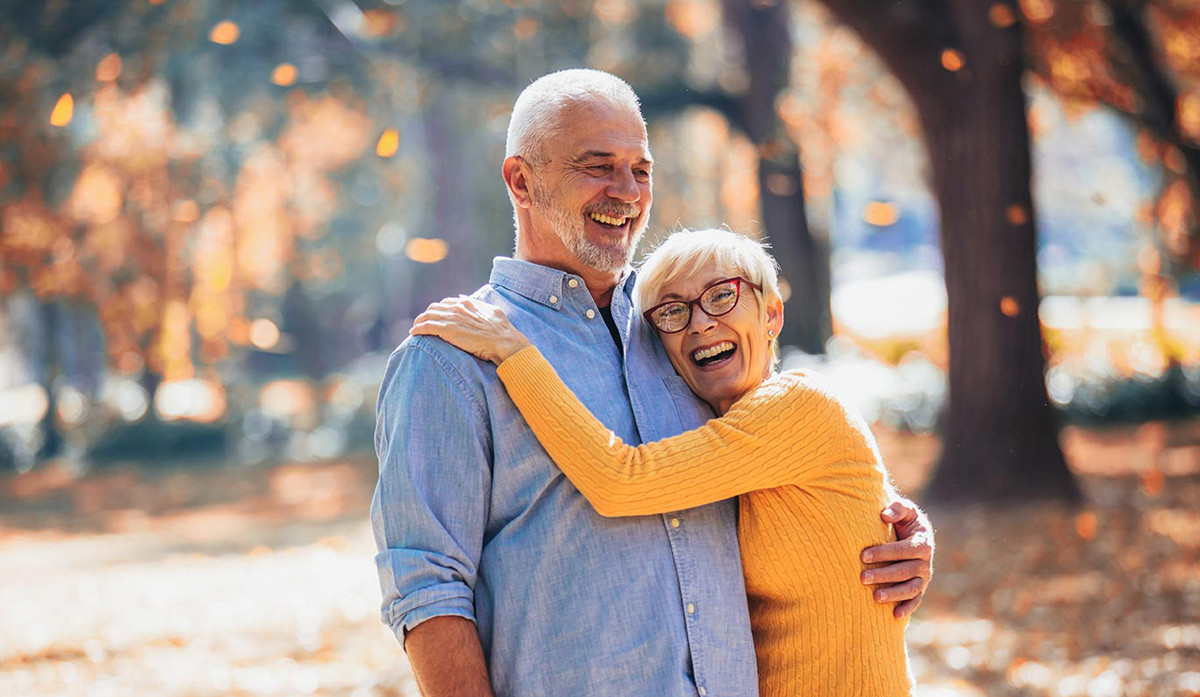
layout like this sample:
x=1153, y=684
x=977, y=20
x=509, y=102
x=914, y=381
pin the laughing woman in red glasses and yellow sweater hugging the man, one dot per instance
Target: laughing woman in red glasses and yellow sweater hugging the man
x=805, y=466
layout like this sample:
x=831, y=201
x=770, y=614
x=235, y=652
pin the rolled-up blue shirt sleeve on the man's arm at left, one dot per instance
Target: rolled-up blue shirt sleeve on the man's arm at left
x=430, y=507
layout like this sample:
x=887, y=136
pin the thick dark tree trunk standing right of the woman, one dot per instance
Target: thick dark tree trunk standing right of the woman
x=1000, y=434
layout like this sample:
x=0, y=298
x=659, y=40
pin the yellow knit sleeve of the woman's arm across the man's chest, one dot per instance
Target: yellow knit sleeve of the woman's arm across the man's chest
x=781, y=434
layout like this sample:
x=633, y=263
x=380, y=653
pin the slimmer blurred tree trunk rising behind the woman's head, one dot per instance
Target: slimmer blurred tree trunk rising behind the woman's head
x=765, y=29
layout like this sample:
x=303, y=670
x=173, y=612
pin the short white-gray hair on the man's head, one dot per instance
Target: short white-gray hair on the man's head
x=536, y=115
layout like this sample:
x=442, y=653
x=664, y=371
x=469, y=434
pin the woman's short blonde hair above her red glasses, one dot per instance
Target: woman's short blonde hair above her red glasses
x=686, y=253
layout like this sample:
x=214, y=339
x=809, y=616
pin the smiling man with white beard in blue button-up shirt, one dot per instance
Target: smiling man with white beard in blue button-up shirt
x=497, y=575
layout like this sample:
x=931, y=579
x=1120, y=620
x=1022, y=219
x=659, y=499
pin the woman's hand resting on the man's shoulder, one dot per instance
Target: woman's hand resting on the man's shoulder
x=473, y=326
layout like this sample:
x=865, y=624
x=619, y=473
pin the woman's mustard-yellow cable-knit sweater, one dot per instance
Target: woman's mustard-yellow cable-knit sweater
x=812, y=489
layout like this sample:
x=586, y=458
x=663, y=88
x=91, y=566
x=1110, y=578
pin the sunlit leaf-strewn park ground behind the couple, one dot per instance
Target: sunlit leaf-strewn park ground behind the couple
x=218, y=580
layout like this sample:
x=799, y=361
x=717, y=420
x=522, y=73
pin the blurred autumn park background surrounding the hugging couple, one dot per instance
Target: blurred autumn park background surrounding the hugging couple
x=218, y=219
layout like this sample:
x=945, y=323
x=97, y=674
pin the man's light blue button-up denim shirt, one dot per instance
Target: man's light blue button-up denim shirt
x=472, y=519
